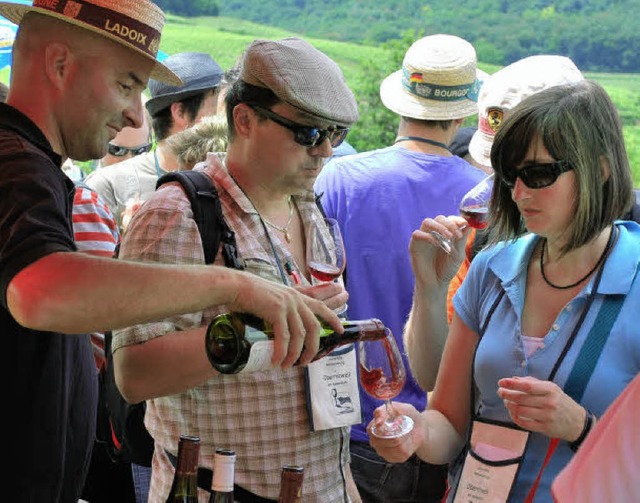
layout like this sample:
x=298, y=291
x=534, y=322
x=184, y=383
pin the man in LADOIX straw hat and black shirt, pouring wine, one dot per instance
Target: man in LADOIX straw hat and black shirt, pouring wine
x=78, y=71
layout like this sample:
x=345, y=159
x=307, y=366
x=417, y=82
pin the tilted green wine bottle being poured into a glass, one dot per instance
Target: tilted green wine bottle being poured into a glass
x=240, y=342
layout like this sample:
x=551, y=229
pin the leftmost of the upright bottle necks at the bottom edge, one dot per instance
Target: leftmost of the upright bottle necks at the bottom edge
x=185, y=481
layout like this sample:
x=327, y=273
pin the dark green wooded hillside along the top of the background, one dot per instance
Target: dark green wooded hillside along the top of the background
x=589, y=32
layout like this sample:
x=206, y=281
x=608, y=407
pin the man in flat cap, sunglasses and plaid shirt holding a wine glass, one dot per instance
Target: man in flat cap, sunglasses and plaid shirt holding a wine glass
x=287, y=110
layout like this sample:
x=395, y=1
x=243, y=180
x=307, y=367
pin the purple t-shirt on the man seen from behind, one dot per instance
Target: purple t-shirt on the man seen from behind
x=380, y=198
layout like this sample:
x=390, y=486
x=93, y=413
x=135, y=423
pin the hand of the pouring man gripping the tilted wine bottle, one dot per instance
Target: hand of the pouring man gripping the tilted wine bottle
x=293, y=316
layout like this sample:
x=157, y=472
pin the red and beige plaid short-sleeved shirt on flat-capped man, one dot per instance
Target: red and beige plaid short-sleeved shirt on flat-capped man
x=261, y=415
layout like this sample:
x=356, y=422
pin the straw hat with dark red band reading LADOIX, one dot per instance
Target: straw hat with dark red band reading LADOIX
x=136, y=24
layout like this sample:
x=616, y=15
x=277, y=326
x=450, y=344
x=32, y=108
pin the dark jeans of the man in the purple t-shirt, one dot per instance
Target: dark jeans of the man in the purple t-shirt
x=379, y=481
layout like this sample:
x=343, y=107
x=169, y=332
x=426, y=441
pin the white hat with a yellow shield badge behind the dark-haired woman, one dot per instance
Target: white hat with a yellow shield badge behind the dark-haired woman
x=509, y=86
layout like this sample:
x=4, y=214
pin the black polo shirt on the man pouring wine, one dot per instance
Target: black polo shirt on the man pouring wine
x=50, y=405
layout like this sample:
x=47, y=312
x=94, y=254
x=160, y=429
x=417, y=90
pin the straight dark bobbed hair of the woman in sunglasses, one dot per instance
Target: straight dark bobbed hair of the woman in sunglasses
x=577, y=123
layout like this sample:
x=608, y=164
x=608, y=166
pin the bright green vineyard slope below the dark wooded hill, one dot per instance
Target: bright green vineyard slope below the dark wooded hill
x=364, y=67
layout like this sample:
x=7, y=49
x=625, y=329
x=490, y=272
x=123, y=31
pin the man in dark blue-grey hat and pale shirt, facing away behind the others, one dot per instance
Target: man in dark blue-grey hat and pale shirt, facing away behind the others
x=172, y=108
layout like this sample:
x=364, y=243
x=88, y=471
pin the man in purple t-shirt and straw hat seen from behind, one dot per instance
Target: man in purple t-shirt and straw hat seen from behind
x=379, y=198
